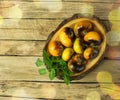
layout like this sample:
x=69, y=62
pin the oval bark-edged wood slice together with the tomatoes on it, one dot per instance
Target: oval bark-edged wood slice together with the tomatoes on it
x=84, y=29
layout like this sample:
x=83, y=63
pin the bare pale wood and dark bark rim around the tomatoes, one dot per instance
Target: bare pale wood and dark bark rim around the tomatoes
x=98, y=26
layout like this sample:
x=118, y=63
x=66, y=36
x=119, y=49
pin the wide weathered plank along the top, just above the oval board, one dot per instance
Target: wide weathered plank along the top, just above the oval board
x=43, y=10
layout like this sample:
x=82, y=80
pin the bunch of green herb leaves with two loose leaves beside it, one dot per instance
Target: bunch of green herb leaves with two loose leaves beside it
x=56, y=67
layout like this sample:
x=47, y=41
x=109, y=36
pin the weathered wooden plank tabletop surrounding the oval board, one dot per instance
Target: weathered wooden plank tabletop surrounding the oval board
x=24, y=28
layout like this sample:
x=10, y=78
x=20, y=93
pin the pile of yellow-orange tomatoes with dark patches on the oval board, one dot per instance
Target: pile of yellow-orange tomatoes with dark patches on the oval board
x=76, y=45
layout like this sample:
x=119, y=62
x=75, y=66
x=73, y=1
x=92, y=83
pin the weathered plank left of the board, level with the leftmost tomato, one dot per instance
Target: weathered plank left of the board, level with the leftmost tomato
x=21, y=47
